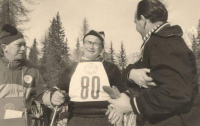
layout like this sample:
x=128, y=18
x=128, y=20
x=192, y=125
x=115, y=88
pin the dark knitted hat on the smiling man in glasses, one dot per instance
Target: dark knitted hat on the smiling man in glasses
x=100, y=35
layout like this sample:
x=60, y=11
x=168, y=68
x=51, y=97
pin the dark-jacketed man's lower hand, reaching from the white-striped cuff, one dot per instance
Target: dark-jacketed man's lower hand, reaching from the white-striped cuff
x=121, y=104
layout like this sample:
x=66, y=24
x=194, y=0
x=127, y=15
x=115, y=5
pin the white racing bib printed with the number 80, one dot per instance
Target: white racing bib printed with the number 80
x=87, y=82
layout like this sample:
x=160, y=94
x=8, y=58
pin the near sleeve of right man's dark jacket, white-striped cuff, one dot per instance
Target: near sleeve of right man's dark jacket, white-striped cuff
x=172, y=69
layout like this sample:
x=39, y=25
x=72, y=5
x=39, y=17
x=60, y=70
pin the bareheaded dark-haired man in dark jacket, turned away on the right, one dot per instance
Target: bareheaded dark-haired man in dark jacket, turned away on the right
x=166, y=75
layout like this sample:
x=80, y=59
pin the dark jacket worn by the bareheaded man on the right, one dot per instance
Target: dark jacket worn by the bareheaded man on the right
x=175, y=101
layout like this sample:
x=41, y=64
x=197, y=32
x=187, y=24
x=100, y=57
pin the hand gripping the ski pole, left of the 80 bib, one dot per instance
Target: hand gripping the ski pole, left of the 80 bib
x=58, y=98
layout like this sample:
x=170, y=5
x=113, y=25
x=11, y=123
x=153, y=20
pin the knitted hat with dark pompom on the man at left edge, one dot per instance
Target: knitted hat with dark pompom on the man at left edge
x=9, y=34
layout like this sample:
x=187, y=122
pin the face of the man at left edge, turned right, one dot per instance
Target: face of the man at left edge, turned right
x=15, y=50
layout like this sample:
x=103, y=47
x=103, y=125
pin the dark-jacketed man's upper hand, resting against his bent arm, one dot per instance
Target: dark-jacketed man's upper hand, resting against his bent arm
x=139, y=76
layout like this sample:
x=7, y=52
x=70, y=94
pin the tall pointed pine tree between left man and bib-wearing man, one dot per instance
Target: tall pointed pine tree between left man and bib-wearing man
x=55, y=50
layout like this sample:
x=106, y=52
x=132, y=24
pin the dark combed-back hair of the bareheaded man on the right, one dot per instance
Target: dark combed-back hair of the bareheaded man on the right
x=153, y=10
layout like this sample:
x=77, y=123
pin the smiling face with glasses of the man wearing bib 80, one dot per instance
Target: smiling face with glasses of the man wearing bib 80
x=92, y=47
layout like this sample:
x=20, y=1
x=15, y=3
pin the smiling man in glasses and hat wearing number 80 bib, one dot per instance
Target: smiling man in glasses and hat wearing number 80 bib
x=84, y=80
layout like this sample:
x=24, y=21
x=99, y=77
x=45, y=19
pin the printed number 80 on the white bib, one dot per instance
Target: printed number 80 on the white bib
x=85, y=87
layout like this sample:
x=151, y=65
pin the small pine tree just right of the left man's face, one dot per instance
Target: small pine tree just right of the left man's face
x=34, y=53
